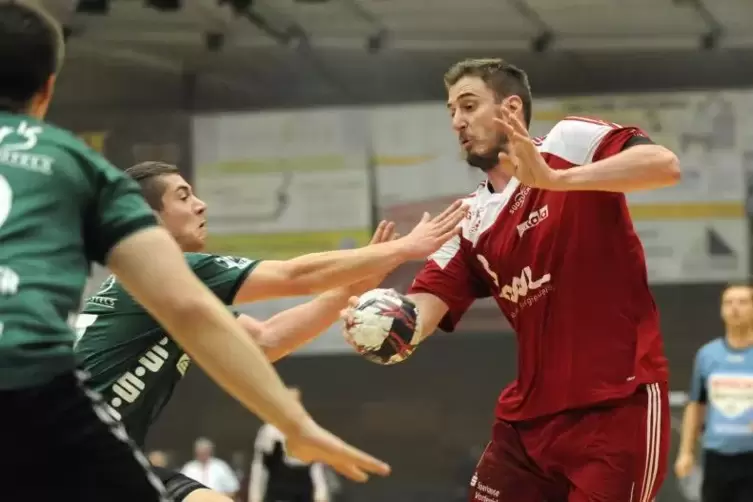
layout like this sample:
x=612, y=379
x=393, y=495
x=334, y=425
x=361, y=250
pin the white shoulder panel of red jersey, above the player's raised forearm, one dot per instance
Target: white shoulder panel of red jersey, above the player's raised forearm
x=575, y=139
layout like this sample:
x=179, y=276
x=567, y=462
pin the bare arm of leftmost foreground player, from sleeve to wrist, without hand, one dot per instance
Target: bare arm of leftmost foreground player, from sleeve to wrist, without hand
x=151, y=267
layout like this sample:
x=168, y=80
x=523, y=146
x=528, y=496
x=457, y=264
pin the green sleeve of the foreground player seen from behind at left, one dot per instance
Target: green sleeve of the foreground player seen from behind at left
x=119, y=209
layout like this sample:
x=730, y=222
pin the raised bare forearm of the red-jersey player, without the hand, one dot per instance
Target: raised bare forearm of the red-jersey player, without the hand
x=642, y=167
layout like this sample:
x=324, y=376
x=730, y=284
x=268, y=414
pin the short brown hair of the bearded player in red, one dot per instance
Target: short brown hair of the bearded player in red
x=502, y=77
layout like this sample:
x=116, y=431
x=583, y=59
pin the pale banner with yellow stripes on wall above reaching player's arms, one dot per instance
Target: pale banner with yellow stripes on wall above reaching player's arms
x=283, y=184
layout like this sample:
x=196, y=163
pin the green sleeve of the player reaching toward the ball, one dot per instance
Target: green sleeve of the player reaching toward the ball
x=224, y=275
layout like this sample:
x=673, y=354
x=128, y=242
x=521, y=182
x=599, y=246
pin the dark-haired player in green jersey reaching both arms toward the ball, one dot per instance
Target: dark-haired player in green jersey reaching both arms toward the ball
x=135, y=365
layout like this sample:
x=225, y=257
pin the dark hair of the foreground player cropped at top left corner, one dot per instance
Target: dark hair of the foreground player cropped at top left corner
x=31, y=51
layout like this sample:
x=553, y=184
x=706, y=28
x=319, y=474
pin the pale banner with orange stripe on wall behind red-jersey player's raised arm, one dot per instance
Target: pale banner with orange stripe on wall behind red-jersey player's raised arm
x=695, y=231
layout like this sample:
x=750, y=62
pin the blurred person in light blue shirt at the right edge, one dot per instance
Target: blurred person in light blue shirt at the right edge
x=721, y=405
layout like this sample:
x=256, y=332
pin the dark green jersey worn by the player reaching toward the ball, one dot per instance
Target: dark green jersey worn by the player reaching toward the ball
x=132, y=361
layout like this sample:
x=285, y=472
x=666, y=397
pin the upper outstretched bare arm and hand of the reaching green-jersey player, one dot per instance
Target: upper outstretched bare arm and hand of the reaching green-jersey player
x=318, y=272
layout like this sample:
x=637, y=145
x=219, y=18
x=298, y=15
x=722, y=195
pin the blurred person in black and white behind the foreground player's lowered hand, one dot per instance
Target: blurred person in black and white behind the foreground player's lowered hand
x=278, y=477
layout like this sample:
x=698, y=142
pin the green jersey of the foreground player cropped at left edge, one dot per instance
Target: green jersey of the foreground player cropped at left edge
x=62, y=206
